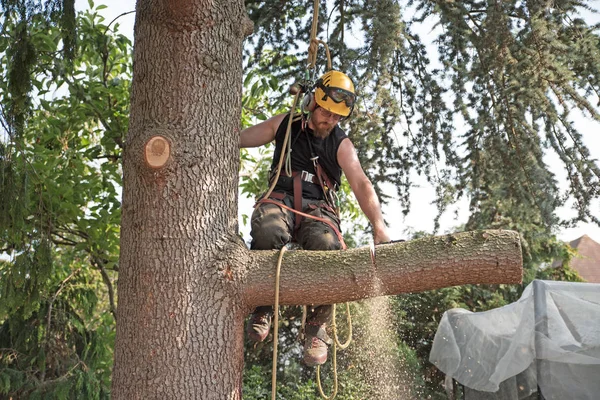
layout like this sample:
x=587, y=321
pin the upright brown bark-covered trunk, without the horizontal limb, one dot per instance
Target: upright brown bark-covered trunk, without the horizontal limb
x=180, y=333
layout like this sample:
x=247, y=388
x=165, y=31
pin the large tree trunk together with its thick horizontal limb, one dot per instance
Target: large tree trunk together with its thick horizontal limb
x=186, y=281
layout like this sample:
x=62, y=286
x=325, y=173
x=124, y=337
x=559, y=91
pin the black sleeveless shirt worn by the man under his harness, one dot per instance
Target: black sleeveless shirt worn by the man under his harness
x=326, y=149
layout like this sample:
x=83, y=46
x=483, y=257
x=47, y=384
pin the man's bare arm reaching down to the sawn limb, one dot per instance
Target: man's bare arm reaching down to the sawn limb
x=363, y=189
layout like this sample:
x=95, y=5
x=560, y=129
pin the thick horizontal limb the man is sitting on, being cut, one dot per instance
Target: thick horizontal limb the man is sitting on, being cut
x=486, y=257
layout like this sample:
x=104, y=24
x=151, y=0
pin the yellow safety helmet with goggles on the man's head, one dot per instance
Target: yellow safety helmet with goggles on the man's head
x=334, y=91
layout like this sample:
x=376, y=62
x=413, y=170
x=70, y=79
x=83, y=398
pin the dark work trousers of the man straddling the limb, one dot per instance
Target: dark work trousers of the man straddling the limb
x=272, y=227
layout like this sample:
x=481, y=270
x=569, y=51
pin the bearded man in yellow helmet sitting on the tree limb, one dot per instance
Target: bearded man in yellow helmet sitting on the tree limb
x=302, y=207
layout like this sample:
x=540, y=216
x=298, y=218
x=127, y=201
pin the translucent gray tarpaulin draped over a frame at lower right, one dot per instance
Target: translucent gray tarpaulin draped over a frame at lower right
x=549, y=338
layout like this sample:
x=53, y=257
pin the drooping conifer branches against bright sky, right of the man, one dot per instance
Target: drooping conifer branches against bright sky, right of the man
x=469, y=94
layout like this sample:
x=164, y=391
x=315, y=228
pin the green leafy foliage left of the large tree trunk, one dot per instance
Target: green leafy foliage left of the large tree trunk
x=60, y=212
